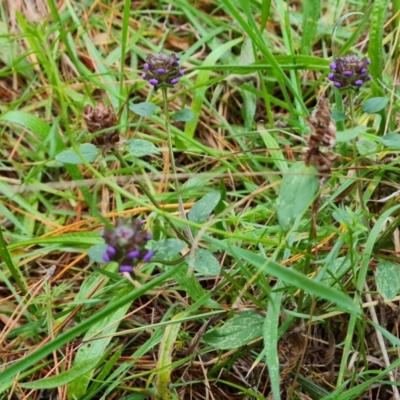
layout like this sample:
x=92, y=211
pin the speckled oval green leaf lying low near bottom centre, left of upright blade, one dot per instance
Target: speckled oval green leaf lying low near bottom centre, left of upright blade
x=238, y=331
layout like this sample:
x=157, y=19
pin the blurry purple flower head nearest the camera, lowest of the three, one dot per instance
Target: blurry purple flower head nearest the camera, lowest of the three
x=126, y=244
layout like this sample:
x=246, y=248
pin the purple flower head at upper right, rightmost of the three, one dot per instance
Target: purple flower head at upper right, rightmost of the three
x=349, y=71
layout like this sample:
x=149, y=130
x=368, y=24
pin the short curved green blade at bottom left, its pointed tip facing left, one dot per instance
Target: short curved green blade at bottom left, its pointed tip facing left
x=64, y=377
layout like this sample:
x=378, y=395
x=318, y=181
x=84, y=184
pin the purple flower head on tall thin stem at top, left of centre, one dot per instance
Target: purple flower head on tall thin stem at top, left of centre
x=162, y=70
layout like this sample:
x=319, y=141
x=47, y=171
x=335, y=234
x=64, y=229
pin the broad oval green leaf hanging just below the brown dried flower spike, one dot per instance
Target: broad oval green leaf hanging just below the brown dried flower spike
x=298, y=188
